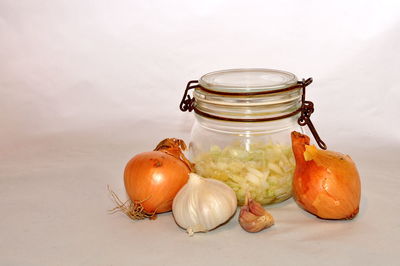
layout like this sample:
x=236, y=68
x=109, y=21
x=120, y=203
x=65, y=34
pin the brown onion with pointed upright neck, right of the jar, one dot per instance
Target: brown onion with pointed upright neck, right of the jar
x=325, y=183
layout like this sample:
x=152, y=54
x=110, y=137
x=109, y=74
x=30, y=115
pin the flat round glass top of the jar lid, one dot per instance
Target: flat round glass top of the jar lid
x=243, y=81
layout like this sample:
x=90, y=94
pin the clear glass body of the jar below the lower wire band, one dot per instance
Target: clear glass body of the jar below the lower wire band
x=249, y=157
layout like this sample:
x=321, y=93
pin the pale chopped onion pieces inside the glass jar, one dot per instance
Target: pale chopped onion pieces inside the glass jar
x=263, y=170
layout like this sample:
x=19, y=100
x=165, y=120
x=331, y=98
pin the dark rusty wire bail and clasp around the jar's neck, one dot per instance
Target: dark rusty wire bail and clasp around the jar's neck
x=306, y=109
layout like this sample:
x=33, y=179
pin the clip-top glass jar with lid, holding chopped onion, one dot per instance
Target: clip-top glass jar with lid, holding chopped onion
x=242, y=131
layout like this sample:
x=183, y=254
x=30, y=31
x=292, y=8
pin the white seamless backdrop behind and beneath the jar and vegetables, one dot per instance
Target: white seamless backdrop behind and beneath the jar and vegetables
x=85, y=85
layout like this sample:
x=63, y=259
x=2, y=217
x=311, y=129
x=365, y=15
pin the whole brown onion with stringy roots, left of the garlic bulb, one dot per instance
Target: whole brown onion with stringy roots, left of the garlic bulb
x=153, y=178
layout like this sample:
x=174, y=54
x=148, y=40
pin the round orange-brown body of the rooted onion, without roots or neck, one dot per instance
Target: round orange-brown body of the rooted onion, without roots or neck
x=153, y=179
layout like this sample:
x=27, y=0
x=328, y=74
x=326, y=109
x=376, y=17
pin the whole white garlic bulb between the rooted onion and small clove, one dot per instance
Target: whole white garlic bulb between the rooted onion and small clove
x=202, y=204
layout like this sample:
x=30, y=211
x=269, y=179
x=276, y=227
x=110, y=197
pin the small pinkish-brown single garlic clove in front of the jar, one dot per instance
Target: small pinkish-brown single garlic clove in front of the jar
x=253, y=217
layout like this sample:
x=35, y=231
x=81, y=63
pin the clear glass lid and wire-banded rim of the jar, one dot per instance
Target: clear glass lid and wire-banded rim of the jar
x=248, y=95
